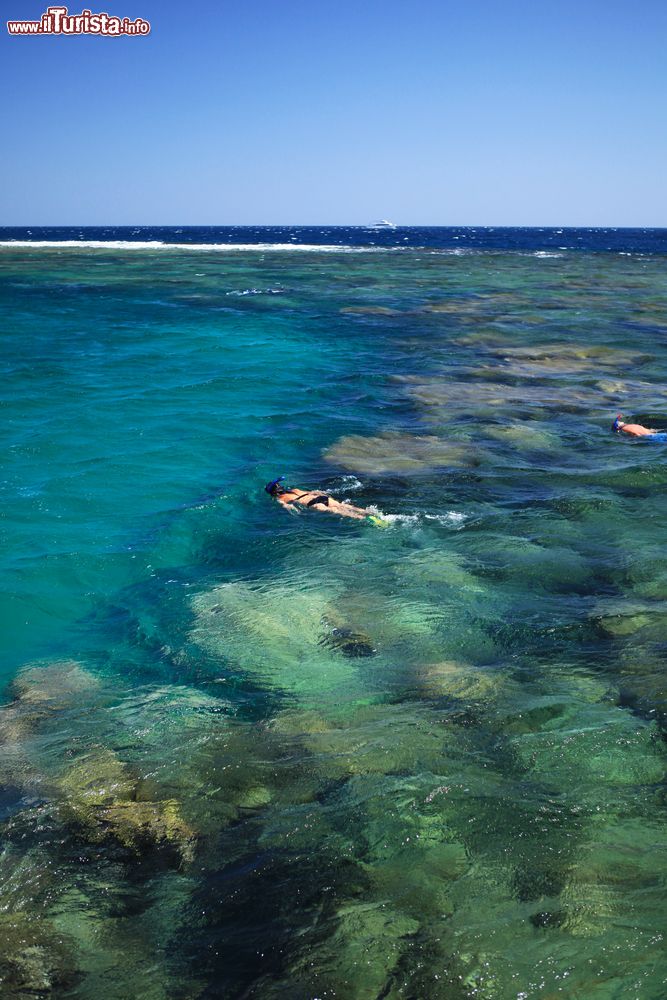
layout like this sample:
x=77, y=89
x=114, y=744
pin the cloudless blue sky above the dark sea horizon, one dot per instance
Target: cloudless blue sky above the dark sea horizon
x=442, y=112
